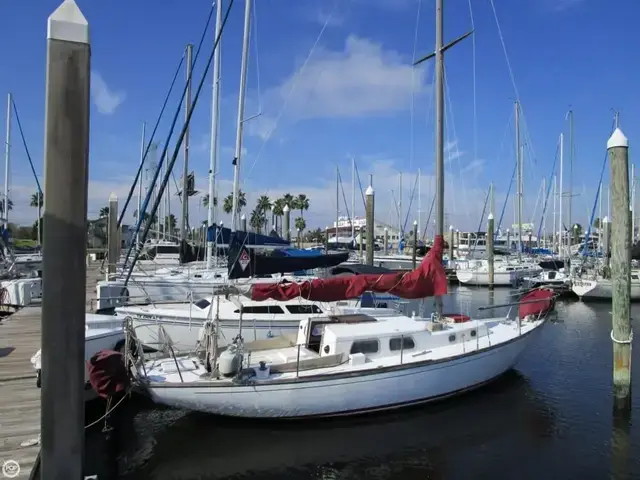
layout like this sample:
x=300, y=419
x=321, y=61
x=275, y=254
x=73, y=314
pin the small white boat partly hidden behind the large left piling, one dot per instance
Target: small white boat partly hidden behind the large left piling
x=102, y=332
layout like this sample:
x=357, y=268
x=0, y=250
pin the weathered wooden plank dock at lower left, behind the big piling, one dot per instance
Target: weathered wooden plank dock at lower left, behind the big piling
x=20, y=336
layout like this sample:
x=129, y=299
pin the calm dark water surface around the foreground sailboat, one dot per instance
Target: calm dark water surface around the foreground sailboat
x=549, y=418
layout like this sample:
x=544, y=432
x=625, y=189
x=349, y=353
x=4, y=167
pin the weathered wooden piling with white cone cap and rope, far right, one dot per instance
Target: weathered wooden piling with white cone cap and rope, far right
x=621, y=333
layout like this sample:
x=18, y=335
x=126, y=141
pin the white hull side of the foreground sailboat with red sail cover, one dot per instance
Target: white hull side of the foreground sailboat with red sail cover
x=351, y=392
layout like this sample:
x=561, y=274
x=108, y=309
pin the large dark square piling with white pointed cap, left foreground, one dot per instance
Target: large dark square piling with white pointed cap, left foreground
x=66, y=152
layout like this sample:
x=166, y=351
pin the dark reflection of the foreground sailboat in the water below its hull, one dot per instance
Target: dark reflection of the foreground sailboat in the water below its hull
x=442, y=440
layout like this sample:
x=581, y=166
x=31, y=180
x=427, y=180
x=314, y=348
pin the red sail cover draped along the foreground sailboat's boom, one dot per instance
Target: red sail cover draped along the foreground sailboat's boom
x=427, y=280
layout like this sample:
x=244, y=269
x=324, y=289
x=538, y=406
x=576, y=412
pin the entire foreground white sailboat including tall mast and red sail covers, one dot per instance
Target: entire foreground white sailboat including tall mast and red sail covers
x=350, y=364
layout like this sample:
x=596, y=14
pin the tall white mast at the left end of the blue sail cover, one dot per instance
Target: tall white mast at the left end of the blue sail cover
x=213, y=150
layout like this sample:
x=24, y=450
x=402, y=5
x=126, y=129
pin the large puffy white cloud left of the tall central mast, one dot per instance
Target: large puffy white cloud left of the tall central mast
x=361, y=80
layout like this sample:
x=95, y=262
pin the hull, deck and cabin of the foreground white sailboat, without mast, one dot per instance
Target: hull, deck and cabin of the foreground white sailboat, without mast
x=344, y=365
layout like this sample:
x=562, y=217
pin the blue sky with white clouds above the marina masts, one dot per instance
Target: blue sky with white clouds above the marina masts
x=330, y=81
